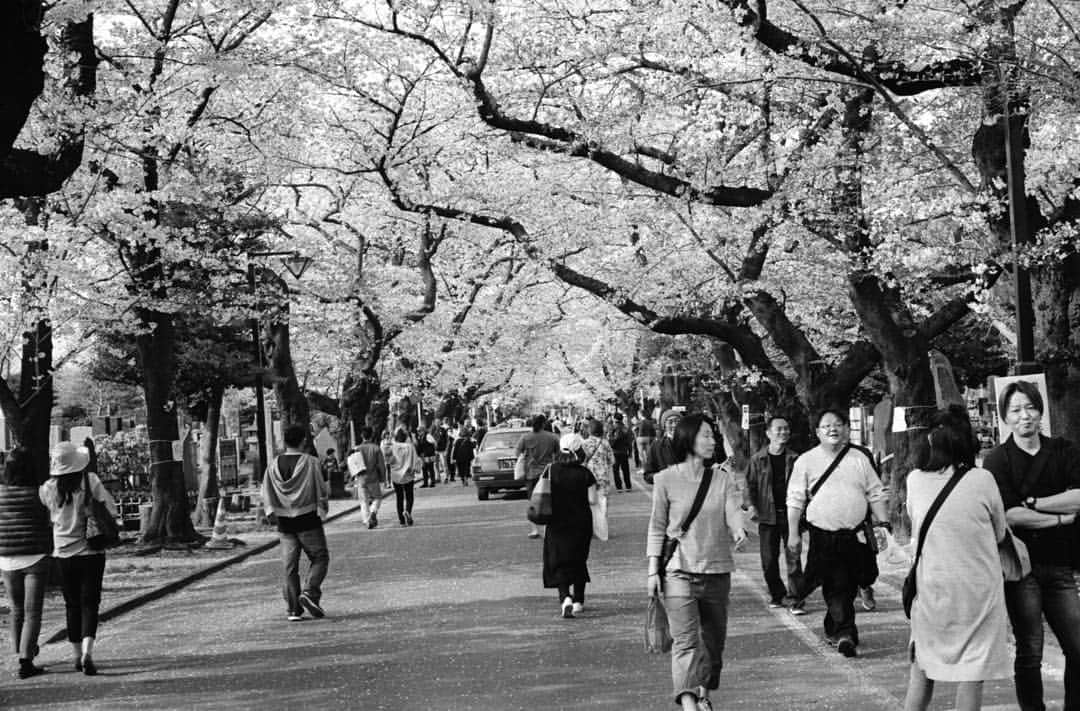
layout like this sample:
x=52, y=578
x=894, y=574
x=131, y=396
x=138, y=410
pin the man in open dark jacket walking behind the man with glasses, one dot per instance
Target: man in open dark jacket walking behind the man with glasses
x=767, y=478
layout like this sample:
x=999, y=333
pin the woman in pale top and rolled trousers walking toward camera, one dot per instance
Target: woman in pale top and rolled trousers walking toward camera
x=697, y=580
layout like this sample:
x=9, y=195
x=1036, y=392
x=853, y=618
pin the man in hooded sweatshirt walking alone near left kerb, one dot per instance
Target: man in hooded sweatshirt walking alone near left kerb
x=295, y=492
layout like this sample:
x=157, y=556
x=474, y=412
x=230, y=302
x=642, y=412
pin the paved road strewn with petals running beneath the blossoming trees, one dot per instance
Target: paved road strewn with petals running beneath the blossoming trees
x=450, y=615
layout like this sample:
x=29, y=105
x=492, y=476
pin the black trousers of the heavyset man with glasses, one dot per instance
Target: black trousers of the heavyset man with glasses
x=835, y=561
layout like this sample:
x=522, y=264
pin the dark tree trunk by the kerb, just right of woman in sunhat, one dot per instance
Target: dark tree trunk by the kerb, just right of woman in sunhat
x=170, y=519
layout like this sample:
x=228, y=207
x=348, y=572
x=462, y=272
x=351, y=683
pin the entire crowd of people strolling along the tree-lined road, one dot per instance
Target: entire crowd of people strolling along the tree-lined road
x=997, y=541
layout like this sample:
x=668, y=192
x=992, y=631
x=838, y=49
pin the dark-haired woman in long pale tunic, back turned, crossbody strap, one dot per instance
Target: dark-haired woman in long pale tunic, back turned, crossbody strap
x=958, y=618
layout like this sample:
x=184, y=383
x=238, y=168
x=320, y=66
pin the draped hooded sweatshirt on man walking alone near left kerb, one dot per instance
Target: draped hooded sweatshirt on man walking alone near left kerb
x=300, y=499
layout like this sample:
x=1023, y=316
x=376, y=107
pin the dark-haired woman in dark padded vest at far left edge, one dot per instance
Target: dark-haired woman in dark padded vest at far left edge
x=26, y=541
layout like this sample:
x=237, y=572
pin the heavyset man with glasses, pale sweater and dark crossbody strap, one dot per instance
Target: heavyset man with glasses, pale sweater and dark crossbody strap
x=834, y=516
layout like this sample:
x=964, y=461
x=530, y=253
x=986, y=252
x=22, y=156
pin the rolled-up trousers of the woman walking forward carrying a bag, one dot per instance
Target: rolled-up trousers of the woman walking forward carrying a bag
x=698, y=614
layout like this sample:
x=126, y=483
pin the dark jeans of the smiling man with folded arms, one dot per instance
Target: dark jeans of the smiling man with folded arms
x=1050, y=592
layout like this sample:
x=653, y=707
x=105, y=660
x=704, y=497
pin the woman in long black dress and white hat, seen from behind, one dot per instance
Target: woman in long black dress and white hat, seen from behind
x=571, y=531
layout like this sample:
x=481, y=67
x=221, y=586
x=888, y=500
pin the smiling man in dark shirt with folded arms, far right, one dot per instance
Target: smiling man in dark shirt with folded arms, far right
x=1039, y=481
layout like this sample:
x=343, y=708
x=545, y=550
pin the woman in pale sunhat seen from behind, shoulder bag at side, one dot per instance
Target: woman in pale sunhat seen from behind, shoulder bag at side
x=82, y=567
